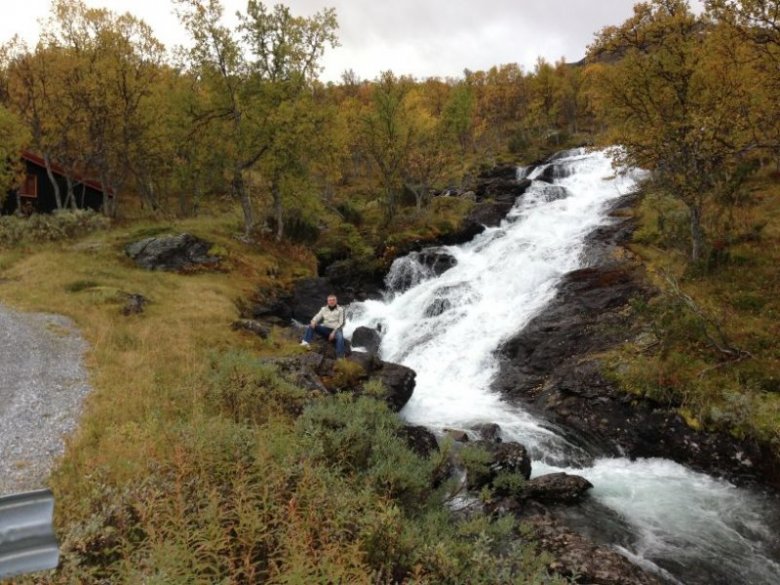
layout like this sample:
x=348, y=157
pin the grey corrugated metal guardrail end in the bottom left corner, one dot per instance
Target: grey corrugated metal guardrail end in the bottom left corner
x=27, y=540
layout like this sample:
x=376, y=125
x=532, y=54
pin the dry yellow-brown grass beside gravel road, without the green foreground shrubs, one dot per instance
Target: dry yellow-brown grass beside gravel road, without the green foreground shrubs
x=146, y=370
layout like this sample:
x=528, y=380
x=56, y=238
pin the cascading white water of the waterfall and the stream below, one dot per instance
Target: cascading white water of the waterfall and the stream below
x=448, y=327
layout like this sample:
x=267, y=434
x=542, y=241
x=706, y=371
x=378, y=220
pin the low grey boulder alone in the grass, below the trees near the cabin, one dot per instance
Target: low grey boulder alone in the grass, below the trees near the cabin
x=175, y=252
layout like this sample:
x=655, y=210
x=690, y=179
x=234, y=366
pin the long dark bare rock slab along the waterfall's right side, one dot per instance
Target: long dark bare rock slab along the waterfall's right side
x=552, y=366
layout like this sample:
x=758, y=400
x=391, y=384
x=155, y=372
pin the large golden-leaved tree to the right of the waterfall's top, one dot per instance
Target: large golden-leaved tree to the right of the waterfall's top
x=676, y=107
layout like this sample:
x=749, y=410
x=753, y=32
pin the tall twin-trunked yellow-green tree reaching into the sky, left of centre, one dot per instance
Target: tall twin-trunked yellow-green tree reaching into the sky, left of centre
x=248, y=78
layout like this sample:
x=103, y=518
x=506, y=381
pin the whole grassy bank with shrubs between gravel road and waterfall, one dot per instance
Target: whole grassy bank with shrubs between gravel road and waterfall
x=191, y=464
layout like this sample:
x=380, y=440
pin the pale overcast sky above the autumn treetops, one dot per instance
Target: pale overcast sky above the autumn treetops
x=424, y=38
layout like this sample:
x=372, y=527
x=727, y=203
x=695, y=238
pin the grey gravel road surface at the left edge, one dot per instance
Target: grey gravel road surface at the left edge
x=42, y=384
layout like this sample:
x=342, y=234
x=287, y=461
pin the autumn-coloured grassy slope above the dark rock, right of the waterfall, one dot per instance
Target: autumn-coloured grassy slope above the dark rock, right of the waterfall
x=739, y=296
